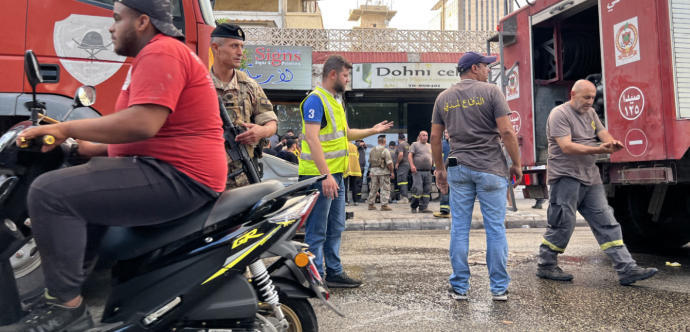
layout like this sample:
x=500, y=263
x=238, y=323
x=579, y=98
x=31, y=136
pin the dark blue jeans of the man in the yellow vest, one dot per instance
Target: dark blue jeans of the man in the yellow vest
x=324, y=226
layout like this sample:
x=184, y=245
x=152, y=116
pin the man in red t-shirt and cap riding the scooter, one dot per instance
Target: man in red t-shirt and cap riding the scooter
x=167, y=137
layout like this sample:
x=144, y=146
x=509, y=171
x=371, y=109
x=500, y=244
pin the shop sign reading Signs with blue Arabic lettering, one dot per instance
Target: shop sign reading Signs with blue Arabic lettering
x=280, y=67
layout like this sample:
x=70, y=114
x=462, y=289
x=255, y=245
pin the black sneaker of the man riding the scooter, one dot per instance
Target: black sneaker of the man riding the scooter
x=52, y=317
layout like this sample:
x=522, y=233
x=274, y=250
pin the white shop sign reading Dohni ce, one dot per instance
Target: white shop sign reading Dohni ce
x=404, y=75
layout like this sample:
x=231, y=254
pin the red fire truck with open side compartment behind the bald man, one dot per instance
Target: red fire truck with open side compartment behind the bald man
x=636, y=53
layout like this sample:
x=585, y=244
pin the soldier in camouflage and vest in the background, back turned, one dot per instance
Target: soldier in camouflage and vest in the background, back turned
x=381, y=171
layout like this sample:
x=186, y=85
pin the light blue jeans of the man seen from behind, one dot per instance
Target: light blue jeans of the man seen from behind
x=465, y=186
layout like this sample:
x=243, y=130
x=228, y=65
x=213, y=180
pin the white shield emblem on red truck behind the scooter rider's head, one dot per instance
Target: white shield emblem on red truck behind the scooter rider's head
x=86, y=37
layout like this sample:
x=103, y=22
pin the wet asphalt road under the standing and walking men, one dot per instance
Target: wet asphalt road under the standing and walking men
x=406, y=277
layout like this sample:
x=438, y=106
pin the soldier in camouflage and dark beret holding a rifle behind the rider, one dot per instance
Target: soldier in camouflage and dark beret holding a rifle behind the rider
x=244, y=99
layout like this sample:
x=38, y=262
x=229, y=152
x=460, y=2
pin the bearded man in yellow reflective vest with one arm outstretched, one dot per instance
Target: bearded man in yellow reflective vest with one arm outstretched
x=325, y=151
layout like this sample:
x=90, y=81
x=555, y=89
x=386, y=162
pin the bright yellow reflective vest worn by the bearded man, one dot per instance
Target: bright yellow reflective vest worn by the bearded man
x=333, y=137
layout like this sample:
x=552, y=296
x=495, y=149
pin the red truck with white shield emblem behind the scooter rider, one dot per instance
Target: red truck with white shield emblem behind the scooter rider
x=73, y=45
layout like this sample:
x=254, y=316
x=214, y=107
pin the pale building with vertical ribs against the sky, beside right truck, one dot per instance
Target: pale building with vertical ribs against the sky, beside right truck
x=473, y=15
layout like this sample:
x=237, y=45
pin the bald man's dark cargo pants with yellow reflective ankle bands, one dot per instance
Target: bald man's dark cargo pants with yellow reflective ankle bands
x=568, y=196
